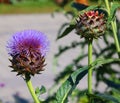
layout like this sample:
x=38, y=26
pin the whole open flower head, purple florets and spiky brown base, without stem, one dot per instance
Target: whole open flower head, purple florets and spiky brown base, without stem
x=28, y=49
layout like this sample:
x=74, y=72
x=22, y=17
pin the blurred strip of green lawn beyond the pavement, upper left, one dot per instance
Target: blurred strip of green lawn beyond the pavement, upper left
x=43, y=6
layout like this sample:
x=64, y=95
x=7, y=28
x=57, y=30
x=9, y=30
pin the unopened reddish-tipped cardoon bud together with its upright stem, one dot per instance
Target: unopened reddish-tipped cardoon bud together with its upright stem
x=91, y=25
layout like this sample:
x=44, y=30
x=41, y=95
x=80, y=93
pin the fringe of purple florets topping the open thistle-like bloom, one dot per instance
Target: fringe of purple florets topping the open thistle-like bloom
x=26, y=40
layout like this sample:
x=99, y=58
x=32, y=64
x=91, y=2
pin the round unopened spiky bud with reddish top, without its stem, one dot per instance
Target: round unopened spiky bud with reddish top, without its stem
x=91, y=25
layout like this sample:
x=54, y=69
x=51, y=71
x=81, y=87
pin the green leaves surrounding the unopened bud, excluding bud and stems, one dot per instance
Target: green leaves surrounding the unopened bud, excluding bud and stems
x=107, y=68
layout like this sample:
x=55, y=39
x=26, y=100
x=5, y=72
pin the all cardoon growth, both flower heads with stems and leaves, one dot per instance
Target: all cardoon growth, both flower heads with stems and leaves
x=28, y=50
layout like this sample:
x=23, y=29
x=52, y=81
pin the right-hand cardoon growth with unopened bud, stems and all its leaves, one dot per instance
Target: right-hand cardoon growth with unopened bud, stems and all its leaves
x=92, y=22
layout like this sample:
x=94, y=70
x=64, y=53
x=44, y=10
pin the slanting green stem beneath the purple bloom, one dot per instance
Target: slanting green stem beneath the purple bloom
x=31, y=89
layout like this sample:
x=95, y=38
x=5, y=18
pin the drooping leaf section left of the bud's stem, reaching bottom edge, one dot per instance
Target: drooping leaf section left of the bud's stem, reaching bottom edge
x=69, y=85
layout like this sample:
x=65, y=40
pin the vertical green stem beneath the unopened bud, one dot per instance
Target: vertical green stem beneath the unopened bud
x=90, y=70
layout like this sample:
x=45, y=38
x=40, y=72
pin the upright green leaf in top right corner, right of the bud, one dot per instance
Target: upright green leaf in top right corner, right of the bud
x=113, y=9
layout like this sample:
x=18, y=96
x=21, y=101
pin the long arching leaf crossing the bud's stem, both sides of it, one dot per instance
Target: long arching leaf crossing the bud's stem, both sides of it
x=69, y=85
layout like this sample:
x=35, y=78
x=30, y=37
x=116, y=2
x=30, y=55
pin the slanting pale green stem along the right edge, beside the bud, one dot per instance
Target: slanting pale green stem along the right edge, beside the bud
x=113, y=24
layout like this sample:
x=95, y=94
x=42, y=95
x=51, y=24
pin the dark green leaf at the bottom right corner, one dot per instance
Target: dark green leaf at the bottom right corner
x=105, y=97
